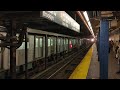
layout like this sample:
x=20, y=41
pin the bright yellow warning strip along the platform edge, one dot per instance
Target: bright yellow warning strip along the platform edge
x=82, y=69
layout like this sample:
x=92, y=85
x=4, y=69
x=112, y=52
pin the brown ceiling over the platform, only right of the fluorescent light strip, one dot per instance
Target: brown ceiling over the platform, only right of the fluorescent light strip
x=112, y=16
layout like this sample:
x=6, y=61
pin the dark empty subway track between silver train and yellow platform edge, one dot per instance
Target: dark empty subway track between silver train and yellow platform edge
x=64, y=68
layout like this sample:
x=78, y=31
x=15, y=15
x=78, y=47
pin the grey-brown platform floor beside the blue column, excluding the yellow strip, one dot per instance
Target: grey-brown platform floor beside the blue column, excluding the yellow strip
x=94, y=69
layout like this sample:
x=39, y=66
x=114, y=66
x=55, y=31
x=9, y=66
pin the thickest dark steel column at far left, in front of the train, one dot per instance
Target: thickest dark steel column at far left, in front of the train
x=8, y=23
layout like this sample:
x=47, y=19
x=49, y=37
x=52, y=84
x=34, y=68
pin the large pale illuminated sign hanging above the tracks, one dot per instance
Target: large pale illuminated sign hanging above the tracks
x=62, y=18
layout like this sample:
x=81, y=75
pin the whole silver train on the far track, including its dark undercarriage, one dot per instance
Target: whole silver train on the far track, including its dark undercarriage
x=57, y=45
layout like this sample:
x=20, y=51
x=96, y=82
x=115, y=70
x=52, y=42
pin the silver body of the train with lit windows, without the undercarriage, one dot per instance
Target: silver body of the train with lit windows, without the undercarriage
x=36, y=48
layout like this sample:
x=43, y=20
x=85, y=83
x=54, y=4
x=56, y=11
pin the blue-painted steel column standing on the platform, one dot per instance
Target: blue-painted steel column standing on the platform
x=103, y=48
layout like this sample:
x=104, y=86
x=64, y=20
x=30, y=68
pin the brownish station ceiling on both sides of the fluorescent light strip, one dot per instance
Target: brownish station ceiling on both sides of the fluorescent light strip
x=94, y=17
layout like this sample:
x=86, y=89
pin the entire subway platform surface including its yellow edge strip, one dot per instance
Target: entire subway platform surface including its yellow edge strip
x=89, y=68
